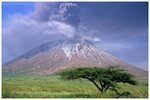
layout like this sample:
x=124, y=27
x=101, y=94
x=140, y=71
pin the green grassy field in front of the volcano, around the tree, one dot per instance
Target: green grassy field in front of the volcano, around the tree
x=54, y=87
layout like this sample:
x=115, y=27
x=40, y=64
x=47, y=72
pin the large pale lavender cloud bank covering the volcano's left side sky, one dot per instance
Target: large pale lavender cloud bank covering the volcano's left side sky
x=24, y=32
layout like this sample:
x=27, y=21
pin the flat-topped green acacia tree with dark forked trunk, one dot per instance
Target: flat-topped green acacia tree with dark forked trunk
x=102, y=78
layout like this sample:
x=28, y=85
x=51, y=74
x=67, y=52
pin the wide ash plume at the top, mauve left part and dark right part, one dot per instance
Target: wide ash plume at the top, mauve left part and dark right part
x=64, y=12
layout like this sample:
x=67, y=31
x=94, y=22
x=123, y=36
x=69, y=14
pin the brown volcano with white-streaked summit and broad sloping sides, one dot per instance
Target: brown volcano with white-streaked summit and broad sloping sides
x=54, y=56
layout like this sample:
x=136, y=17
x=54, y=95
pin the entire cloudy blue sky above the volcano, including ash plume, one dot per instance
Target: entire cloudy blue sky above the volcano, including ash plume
x=120, y=28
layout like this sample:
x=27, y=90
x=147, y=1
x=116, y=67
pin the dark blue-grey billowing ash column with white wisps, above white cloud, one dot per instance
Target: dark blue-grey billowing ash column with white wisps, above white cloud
x=68, y=13
